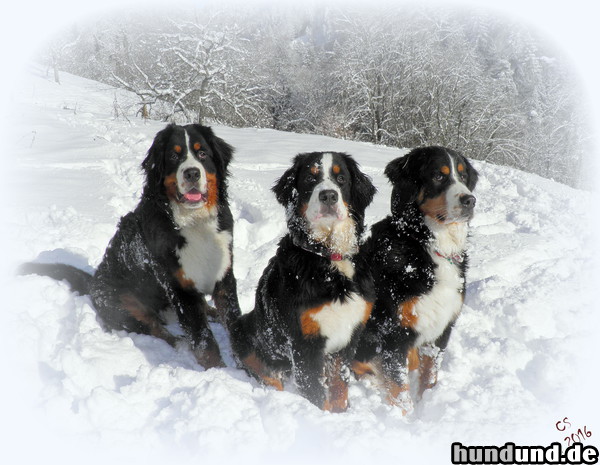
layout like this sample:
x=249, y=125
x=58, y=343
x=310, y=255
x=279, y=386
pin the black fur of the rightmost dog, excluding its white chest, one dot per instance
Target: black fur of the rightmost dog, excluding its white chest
x=400, y=255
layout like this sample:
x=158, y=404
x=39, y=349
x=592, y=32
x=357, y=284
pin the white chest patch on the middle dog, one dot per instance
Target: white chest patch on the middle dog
x=338, y=321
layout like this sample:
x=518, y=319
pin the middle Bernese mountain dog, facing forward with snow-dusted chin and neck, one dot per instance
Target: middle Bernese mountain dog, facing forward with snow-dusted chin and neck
x=316, y=294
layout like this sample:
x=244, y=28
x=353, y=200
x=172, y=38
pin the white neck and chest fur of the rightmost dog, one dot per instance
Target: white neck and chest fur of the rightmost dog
x=442, y=304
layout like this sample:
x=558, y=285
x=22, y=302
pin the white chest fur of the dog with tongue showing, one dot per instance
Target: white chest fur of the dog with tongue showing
x=205, y=257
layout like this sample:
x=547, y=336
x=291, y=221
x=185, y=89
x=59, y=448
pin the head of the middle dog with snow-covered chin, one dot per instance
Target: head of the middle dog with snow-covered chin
x=326, y=194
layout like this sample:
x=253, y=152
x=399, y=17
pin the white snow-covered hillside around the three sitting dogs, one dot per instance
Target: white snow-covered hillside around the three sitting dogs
x=513, y=368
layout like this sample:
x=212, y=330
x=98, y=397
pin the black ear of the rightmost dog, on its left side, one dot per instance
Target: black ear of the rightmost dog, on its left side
x=403, y=175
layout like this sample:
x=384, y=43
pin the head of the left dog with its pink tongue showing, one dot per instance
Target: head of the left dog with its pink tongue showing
x=188, y=166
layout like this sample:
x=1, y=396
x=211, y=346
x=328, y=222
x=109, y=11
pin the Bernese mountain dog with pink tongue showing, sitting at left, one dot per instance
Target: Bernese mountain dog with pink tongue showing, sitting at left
x=172, y=250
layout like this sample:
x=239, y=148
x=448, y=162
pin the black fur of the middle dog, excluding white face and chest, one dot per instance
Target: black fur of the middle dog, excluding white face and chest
x=275, y=340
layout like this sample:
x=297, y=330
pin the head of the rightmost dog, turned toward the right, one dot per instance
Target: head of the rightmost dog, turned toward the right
x=439, y=180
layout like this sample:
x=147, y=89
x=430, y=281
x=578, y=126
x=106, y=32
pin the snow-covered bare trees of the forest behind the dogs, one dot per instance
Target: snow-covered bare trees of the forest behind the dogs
x=405, y=76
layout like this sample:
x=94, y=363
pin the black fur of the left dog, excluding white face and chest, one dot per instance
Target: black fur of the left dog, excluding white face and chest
x=140, y=274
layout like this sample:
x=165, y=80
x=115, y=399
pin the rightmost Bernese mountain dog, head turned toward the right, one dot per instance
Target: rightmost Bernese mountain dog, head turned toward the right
x=418, y=259
